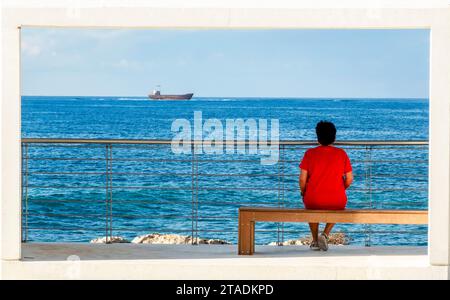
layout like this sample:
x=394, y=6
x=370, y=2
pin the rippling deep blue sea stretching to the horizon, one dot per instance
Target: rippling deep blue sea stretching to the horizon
x=153, y=189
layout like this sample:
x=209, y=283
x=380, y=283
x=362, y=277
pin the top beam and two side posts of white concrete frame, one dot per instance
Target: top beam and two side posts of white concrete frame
x=435, y=19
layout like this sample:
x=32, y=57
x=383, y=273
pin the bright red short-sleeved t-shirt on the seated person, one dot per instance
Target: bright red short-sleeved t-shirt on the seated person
x=326, y=166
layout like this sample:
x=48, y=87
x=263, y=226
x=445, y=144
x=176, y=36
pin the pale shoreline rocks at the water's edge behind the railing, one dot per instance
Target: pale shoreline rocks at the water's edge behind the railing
x=338, y=238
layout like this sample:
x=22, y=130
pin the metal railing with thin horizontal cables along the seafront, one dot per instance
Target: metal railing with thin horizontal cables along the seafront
x=80, y=189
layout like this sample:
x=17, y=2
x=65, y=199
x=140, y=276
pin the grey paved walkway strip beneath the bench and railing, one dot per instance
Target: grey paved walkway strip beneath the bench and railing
x=58, y=252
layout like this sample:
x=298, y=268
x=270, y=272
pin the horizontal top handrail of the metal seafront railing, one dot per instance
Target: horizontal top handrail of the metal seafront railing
x=227, y=142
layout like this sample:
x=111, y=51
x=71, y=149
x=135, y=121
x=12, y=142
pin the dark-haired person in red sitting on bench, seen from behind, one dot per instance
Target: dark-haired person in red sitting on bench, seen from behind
x=325, y=174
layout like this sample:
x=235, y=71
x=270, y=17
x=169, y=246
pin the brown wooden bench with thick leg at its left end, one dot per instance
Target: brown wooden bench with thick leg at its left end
x=248, y=216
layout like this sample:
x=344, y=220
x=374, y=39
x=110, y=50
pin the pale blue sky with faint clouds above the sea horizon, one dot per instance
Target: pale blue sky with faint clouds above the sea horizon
x=250, y=63
